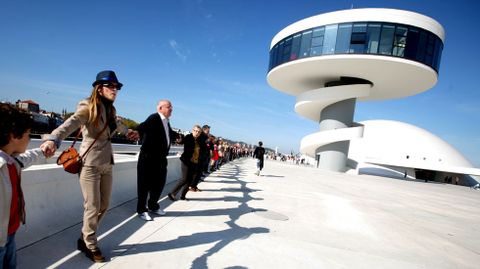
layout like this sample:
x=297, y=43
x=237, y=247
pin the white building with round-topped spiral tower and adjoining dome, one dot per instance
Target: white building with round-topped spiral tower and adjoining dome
x=330, y=61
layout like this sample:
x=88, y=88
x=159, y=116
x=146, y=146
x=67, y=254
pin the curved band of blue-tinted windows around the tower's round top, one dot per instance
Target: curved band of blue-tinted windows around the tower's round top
x=377, y=38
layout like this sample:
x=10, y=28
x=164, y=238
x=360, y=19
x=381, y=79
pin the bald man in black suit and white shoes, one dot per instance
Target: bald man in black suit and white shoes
x=156, y=135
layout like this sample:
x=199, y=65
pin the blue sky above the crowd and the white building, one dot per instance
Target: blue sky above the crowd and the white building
x=210, y=59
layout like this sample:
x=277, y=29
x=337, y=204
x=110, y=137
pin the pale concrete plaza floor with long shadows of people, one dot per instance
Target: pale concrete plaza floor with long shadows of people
x=288, y=217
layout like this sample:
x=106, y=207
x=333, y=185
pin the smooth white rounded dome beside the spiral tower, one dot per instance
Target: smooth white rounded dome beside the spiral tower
x=386, y=141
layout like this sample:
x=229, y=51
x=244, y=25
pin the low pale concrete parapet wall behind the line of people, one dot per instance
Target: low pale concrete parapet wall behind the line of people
x=54, y=200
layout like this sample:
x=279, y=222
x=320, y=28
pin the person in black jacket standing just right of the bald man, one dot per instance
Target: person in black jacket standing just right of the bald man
x=192, y=149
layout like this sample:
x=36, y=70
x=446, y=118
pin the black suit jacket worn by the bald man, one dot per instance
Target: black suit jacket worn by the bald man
x=152, y=137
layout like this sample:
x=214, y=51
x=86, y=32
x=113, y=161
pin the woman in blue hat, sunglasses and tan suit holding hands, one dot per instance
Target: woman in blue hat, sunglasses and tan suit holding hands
x=96, y=116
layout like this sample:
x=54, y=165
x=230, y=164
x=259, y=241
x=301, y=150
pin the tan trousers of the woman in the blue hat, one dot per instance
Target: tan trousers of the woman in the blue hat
x=96, y=185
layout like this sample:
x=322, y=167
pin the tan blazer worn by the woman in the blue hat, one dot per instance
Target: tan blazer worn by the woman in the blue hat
x=101, y=152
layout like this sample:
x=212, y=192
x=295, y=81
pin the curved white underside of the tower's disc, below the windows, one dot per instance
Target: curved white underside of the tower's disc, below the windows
x=391, y=77
